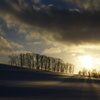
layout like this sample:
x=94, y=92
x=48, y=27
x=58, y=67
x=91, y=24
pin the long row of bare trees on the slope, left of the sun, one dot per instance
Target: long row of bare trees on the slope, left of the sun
x=40, y=62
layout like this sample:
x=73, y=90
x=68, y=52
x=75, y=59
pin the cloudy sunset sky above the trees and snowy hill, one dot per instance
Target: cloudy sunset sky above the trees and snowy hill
x=66, y=29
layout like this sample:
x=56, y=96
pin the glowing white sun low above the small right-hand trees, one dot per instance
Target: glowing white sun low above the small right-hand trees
x=86, y=61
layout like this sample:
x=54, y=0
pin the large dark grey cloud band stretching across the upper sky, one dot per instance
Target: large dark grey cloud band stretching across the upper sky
x=70, y=26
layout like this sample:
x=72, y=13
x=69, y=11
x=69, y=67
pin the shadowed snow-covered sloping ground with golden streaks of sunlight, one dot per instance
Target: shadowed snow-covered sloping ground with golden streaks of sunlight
x=26, y=84
